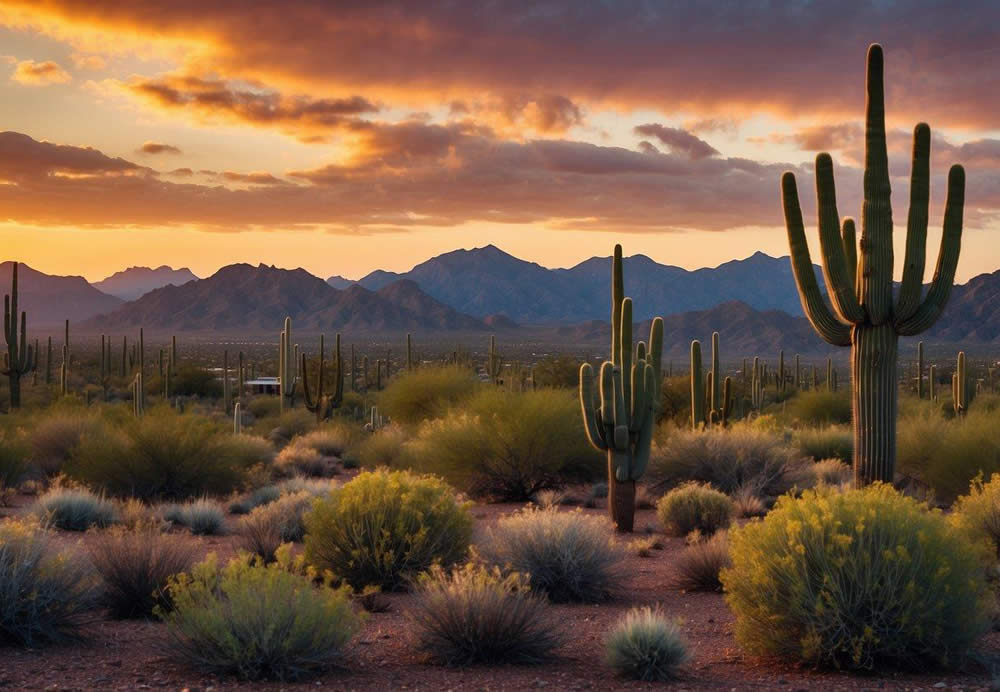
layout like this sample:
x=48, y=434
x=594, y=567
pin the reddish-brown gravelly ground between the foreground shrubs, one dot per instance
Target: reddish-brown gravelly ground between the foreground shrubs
x=128, y=655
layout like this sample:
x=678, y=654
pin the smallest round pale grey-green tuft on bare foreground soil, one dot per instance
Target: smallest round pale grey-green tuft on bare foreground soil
x=644, y=645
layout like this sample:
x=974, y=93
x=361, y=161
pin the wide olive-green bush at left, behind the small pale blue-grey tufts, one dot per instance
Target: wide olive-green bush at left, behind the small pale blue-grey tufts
x=165, y=455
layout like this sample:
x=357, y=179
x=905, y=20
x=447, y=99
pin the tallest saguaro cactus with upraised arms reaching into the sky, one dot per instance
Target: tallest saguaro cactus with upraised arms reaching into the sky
x=860, y=288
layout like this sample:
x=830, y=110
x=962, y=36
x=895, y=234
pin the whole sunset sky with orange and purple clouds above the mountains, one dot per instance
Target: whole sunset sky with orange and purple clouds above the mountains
x=343, y=137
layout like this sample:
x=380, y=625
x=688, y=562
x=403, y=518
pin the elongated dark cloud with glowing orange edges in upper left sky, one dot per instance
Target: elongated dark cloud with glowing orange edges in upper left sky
x=217, y=100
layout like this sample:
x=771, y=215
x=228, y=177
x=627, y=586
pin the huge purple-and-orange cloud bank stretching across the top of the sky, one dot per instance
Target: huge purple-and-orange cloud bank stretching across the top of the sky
x=940, y=62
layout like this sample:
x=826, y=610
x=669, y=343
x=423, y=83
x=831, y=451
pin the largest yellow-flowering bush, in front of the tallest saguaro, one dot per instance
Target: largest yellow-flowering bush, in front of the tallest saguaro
x=855, y=579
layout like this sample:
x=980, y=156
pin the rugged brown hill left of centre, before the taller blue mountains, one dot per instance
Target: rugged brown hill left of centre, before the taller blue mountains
x=242, y=296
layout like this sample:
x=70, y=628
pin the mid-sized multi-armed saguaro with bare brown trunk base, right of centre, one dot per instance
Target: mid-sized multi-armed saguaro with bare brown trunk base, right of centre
x=620, y=419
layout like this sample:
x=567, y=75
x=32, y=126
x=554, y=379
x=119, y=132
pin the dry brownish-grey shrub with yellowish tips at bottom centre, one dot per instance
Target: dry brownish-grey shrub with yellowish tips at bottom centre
x=475, y=614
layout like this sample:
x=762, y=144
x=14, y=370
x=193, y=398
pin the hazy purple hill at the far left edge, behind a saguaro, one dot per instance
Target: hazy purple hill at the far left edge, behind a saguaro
x=49, y=300
